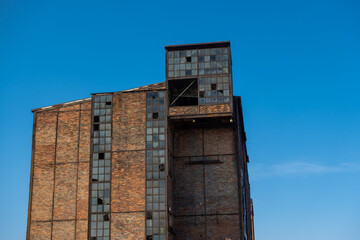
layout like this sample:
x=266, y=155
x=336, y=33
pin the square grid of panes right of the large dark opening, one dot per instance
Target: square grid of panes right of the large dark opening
x=213, y=90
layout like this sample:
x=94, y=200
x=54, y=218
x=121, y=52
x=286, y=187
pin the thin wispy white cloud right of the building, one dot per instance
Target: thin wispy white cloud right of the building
x=300, y=168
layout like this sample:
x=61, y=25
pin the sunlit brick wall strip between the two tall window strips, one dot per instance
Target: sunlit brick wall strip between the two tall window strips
x=128, y=167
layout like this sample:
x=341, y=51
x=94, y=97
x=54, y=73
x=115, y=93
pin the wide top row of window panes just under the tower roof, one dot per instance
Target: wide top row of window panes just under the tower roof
x=200, y=62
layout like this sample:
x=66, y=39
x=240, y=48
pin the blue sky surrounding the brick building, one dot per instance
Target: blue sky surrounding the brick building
x=296, y=65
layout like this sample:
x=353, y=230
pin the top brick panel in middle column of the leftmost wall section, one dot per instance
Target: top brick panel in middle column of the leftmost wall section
x=67, y=137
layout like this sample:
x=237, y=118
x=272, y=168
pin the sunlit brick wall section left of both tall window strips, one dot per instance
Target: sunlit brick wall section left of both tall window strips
x=60, y=181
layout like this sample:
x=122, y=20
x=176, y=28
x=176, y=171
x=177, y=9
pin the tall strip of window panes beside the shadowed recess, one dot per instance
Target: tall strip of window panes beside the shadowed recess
x=155, y=166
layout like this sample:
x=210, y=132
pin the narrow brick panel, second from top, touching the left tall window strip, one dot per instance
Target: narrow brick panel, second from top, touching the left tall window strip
x=83, y=191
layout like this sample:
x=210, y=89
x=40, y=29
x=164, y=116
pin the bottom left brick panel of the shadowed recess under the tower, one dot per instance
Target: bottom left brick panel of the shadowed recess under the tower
x=190, y=228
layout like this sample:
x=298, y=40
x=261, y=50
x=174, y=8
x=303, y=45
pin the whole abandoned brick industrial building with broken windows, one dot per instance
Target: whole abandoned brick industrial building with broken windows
x=166, y=161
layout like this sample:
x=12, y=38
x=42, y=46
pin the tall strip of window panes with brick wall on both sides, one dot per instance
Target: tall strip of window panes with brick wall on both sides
x=101, y=168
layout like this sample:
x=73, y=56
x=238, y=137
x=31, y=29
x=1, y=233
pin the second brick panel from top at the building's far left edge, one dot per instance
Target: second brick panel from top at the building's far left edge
x=43, y=184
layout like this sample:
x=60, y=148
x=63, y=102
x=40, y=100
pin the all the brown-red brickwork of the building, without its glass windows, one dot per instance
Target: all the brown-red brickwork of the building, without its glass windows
x=206, y=159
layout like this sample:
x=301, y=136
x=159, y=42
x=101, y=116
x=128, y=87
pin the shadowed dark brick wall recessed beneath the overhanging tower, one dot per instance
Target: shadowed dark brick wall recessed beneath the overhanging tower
x=206, y=204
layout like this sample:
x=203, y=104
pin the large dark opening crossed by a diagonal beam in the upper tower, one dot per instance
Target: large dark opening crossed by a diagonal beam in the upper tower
x=183, y=92
